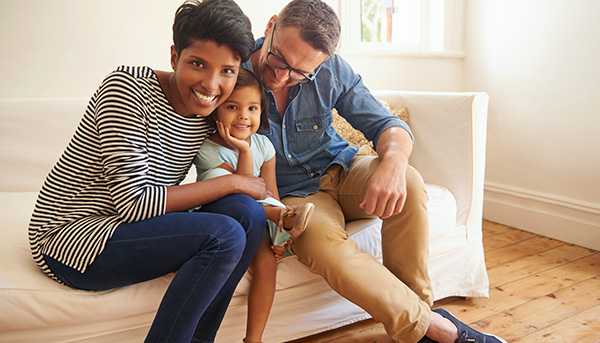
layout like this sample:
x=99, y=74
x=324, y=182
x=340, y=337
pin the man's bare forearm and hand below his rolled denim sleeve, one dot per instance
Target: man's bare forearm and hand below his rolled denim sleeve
x=386, y=191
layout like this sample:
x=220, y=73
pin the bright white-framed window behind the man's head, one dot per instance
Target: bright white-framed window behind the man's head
x=401, y=26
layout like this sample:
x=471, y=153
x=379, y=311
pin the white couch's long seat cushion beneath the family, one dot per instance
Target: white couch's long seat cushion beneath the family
x=29, y=299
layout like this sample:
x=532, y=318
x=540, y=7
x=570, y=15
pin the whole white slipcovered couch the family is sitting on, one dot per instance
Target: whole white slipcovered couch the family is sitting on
x=450, y=130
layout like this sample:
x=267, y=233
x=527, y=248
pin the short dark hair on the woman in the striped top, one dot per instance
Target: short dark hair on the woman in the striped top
x=219, y=20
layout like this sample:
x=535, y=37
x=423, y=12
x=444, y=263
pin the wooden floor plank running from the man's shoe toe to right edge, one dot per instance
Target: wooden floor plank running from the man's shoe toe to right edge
x=543, y=312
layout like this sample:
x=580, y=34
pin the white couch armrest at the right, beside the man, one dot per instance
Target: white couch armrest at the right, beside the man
x=449, y=150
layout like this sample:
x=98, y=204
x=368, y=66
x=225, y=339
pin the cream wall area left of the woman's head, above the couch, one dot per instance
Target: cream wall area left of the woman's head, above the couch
x=65, y=48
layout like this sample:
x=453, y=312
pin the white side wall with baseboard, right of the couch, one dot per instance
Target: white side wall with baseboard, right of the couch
x=539, y=62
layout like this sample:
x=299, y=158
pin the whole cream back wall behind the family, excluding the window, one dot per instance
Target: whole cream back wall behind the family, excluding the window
x=63, y=48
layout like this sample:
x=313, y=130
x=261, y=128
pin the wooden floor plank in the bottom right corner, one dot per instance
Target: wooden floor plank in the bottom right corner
x=581, y=328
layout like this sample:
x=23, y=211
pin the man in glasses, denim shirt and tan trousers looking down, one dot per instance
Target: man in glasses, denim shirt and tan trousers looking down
x=305, y=80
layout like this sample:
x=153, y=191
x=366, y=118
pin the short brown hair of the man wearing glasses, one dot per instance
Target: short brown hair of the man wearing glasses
x=318, y=24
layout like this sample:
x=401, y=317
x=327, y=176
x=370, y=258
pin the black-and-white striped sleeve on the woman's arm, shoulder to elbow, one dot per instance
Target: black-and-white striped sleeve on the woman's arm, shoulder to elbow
x=122, y=136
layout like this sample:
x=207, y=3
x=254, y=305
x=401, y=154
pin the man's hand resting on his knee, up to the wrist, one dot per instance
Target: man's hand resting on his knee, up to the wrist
x=386, y=190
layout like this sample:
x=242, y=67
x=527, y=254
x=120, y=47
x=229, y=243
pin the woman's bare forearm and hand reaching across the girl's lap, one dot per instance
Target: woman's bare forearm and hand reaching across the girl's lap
x=183, y=197
